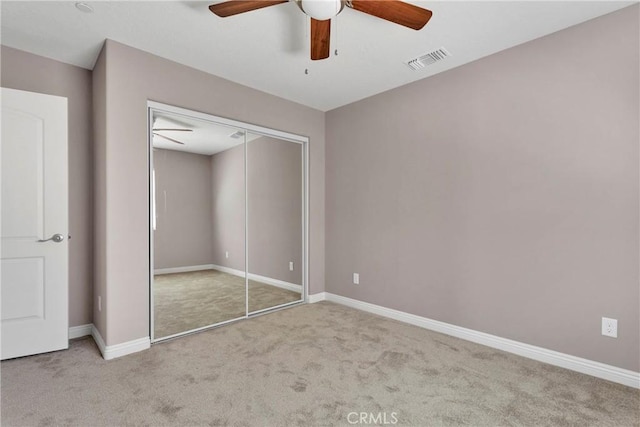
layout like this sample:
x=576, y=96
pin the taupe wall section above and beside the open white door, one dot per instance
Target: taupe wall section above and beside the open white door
x=24, y=71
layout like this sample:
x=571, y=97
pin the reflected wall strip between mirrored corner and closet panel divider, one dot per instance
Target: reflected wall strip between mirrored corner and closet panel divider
x=228, y=207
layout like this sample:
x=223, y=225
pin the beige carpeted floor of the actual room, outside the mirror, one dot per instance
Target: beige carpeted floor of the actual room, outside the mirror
x=311, y=365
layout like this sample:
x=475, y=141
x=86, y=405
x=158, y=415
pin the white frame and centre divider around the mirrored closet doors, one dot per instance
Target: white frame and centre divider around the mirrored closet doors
x=153, y=107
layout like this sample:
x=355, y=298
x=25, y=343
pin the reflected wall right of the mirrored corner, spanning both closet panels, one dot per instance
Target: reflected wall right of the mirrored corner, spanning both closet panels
x=274, y=181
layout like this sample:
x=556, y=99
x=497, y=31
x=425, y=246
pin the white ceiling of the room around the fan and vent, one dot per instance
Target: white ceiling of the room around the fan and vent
x=268, y=49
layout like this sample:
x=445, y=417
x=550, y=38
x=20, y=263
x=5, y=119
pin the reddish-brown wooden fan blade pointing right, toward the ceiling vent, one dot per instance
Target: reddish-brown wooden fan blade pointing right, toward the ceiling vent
x=395, y=11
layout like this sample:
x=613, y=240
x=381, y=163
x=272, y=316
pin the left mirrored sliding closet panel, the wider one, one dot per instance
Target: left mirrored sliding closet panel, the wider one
x=198, y=224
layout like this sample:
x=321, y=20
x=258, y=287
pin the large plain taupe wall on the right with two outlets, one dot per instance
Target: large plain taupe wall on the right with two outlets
x=500, y=196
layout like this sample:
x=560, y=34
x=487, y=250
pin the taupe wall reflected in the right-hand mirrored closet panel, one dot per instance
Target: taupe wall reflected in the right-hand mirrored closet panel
x=274, y=193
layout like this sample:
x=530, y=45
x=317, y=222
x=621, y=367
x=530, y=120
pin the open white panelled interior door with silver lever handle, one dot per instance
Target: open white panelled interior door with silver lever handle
x=34, y=252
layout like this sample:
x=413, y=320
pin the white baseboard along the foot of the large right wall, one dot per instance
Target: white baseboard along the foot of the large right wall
x=578, y=364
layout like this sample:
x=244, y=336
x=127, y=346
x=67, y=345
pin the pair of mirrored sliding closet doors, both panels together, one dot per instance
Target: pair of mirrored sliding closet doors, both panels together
x=227, y=214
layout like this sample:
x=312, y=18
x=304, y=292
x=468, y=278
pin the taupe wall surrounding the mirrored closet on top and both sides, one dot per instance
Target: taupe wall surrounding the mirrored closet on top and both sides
x=132, y=78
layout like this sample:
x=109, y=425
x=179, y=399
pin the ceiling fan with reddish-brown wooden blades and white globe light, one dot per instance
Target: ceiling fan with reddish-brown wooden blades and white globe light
x=321, y=12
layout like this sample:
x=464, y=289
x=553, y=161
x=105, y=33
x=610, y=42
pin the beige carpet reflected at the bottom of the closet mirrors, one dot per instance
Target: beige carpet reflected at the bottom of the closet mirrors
x=185, y=301
